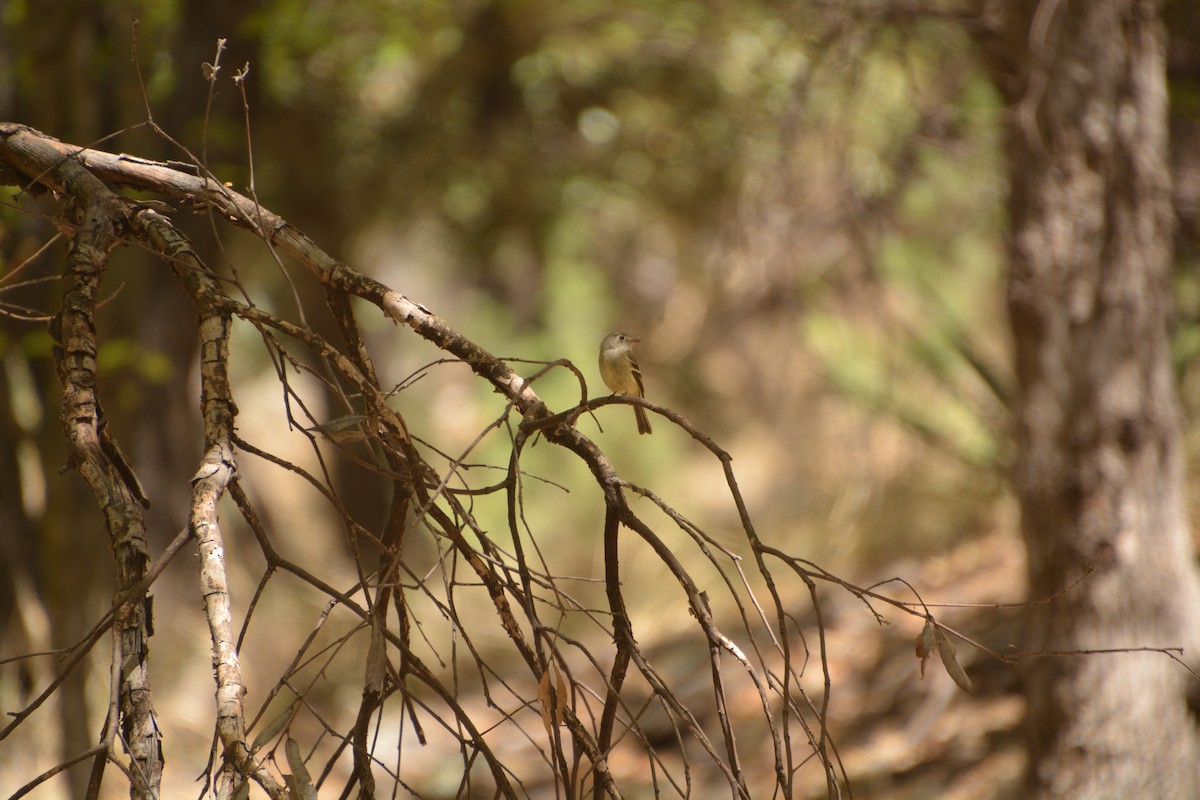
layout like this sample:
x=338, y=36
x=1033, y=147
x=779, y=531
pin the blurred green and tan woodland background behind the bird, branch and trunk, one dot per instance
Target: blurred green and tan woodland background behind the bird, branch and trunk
x=797, y=207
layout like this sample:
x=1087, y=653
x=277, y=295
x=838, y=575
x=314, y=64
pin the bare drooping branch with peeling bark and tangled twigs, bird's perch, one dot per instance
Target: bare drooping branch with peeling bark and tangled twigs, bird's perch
x=542, y=706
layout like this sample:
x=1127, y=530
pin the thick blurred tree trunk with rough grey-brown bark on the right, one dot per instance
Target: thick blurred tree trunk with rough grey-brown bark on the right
x=1100, y=472
